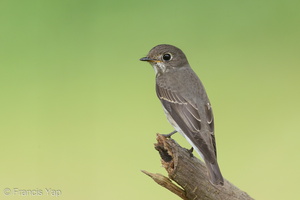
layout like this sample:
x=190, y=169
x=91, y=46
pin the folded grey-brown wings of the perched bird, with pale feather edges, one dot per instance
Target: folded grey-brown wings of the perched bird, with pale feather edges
x=186, y=116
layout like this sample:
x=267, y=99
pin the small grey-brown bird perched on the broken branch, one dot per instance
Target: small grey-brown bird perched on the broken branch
x=185, y=103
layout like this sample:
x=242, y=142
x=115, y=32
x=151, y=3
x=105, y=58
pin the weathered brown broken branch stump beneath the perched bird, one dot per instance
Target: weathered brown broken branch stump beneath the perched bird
x=191, y=174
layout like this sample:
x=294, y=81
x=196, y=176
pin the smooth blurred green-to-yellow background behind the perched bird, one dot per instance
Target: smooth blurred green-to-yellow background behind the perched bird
x=79, y=113
